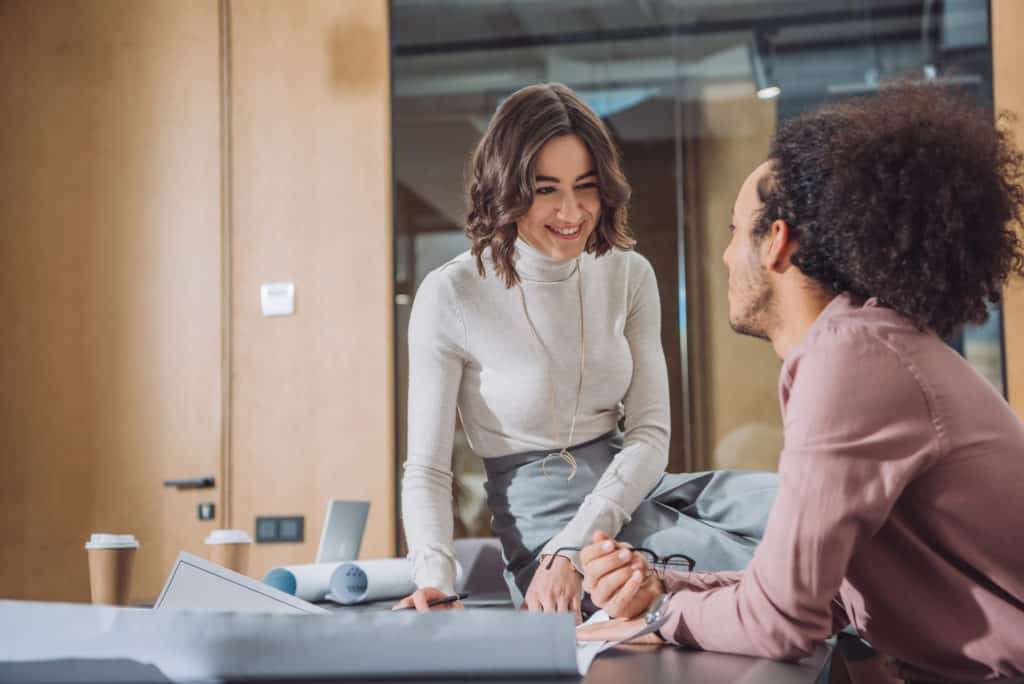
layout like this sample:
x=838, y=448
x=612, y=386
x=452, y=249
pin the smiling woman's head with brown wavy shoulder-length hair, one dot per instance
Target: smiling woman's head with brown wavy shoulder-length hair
x=547, y=172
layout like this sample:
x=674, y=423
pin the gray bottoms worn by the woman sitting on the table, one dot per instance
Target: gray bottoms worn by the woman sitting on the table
x=715, y=518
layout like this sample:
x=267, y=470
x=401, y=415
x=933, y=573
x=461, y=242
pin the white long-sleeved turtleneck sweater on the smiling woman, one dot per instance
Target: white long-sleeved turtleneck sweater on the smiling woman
x=472, y=350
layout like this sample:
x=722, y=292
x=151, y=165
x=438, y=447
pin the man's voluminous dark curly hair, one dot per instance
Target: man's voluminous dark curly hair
x=913, y=197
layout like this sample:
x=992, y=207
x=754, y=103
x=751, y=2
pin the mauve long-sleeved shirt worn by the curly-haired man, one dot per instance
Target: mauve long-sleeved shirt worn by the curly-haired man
x=901, y=510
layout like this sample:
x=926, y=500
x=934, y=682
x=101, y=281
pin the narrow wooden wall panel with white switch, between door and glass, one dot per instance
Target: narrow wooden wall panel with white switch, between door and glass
x=313, y=407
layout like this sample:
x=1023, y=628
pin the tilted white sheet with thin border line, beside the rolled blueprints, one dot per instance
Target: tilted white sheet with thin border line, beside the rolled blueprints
x=196, y=584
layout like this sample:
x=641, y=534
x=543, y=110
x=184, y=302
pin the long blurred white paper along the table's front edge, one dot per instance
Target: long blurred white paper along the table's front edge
x=195, y=647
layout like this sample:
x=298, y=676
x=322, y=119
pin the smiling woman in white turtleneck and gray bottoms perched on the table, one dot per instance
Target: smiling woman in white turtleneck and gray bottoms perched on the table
x=545, y=338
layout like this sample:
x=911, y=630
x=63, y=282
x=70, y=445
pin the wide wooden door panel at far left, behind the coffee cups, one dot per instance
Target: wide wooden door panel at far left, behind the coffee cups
x=110, y=271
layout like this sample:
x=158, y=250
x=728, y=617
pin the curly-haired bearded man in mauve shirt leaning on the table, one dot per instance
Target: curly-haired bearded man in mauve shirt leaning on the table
x=876, y=228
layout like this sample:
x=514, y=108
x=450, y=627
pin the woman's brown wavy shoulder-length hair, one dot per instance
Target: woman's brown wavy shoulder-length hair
x=501, y=187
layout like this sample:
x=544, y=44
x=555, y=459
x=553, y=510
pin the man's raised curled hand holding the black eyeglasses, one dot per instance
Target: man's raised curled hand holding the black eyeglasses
x=618, y=579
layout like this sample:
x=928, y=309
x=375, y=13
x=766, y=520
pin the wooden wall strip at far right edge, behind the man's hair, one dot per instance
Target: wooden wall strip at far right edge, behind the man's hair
x=1008, y=56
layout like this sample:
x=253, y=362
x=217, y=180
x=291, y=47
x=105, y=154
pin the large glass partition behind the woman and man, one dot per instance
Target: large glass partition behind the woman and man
x=693, y=92
